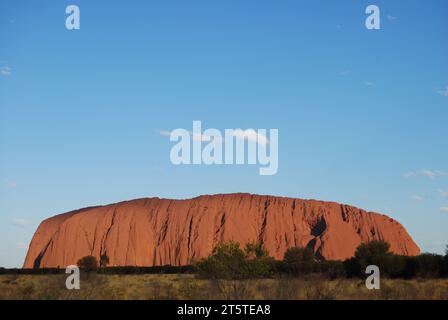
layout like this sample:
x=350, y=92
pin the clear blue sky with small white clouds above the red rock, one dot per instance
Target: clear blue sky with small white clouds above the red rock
x=362, y=114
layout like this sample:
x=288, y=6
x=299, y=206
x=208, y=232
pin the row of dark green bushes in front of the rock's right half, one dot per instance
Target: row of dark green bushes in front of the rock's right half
x=229, y=261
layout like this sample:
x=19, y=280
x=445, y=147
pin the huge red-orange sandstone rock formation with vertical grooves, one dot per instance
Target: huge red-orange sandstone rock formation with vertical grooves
x=153, y=231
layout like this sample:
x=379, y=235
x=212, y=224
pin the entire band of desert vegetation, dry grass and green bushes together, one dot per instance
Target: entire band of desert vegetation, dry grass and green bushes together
x=232, y=272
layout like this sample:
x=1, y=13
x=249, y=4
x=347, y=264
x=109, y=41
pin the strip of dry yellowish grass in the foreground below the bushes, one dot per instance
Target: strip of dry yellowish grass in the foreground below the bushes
x=181, y=286
